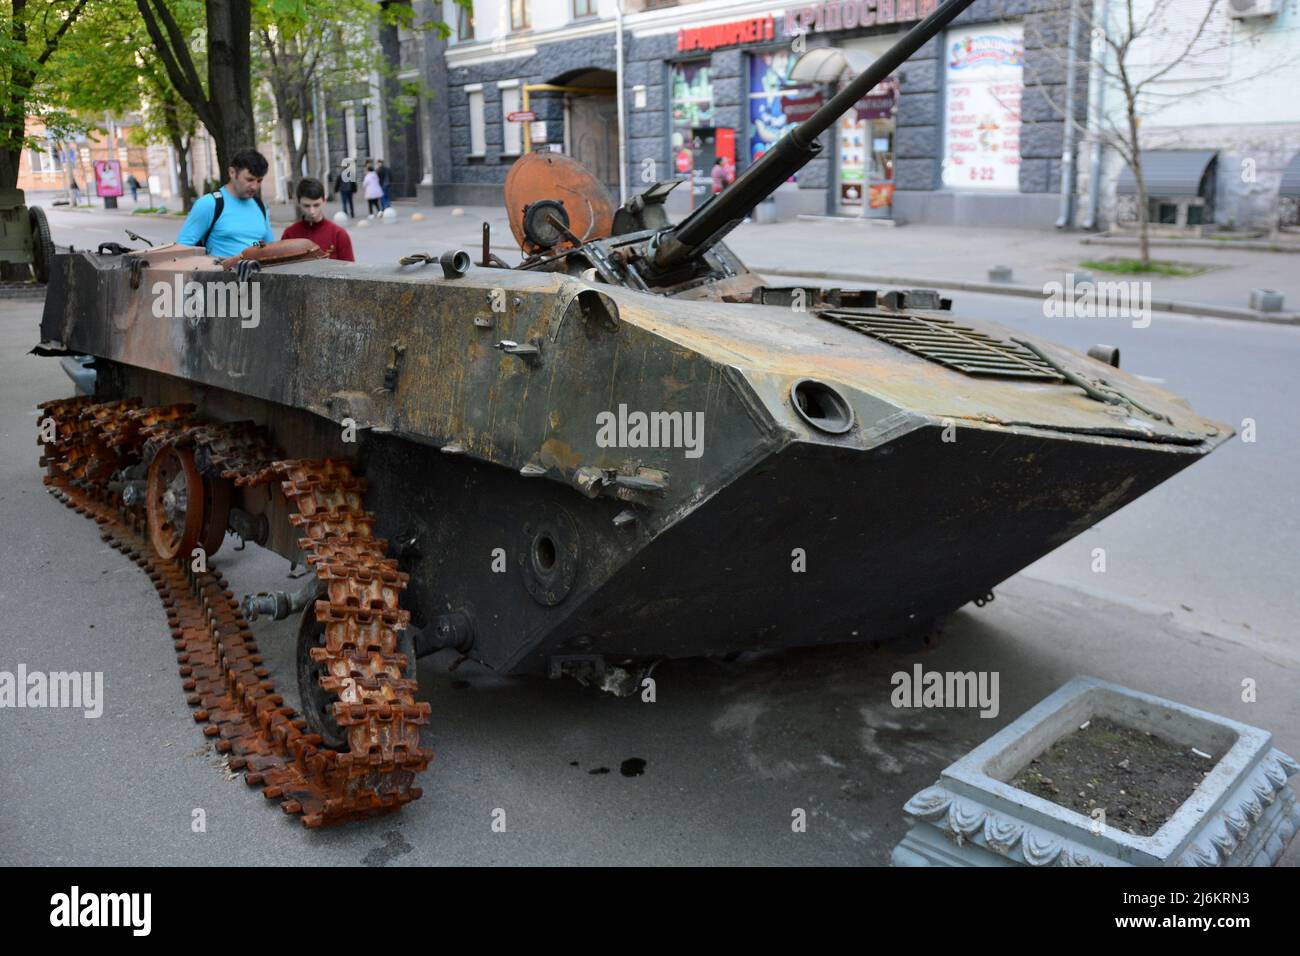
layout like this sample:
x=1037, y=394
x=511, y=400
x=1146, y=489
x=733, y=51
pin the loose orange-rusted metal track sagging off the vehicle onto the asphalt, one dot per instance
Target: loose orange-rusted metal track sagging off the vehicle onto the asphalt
x=220, y=667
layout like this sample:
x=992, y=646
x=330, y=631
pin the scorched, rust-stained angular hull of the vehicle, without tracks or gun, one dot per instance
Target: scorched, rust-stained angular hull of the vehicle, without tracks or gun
x=826, y=485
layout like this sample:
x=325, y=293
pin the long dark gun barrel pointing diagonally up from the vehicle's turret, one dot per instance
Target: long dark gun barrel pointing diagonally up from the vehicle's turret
x=723, y=213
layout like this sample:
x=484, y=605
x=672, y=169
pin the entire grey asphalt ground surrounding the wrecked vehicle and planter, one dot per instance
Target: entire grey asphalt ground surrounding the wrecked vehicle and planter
x=1201, y=592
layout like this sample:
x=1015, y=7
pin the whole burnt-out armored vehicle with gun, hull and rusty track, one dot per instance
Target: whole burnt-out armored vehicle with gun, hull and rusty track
x=627, y=448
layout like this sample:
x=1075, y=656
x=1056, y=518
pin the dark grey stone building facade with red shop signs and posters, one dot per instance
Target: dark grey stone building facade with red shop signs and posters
x=970, y=129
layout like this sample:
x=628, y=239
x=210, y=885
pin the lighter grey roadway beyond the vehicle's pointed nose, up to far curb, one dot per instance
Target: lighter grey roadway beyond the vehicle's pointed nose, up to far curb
x=1216, y=547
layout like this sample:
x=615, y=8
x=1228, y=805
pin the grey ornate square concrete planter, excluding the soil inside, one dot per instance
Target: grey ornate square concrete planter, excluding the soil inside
x=1242, y=815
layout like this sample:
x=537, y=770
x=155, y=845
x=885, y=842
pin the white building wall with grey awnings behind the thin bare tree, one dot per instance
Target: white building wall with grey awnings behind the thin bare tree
x=1221, y=123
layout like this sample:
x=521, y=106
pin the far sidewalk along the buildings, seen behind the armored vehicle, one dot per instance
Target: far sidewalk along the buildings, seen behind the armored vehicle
x=846, y=252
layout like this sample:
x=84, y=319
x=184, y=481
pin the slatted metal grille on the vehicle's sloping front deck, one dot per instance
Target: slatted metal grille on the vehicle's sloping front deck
x=950, y=344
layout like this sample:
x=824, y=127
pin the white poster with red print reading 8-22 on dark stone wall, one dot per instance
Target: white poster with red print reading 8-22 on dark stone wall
x=982, y=110
